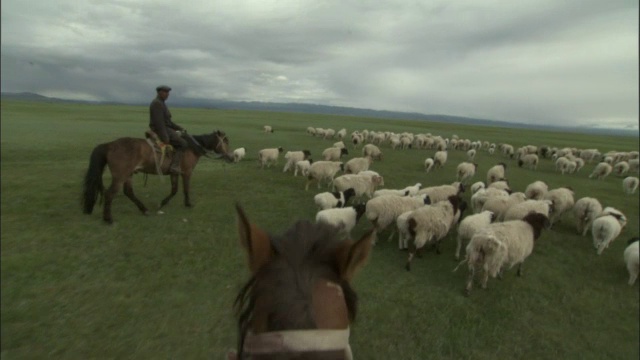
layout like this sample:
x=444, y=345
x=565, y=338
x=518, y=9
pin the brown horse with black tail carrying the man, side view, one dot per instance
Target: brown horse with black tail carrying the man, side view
x=127, y=156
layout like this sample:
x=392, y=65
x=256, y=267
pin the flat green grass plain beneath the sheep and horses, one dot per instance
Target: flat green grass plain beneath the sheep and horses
x=162, y=286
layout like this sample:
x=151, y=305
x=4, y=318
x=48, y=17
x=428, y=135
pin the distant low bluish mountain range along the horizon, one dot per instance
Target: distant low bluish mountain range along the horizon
x=334, y=110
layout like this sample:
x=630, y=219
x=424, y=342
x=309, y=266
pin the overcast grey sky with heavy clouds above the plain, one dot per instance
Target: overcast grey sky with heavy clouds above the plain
x=552, y=62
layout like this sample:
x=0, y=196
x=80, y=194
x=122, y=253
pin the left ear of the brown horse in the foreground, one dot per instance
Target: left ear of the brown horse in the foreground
x=254, y=240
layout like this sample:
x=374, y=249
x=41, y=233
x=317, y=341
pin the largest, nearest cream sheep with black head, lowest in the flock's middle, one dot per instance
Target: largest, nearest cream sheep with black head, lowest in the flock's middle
x=502, y=245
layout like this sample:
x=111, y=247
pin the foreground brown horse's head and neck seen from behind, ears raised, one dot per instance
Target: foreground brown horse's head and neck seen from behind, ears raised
x=298, y=302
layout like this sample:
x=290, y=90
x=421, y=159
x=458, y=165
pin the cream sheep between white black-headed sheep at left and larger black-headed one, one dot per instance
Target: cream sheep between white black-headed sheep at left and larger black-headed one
x=382, y=211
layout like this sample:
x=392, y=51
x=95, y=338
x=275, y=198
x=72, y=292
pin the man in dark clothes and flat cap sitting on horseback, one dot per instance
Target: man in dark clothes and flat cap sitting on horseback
x=160, y=122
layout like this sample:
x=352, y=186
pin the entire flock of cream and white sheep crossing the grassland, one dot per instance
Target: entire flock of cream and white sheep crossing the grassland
x=504, y=224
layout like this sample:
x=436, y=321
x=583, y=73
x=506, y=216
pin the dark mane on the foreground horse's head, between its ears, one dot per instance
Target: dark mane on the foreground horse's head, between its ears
x=304, y=253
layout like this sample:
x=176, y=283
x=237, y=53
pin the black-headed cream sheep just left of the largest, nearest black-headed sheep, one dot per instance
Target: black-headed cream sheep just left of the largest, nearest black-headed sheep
x=430, y=224
